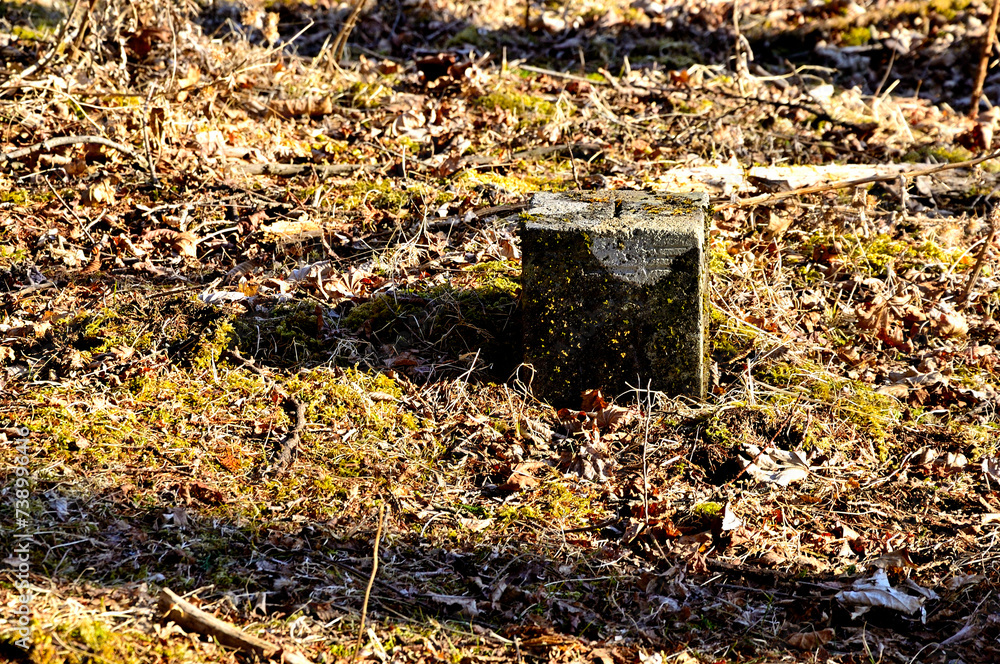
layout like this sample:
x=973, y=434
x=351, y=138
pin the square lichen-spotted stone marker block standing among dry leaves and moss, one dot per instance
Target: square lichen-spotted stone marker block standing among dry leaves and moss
x=615, y=293
